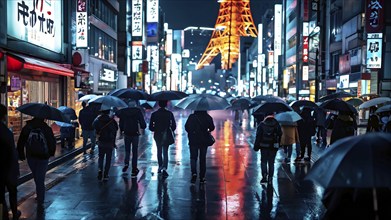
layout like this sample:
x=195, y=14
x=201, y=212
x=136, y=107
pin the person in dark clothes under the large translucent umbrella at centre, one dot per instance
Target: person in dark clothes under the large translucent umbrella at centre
x=196, y=126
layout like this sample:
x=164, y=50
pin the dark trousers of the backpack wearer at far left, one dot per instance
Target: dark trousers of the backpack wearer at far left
x=38, y=168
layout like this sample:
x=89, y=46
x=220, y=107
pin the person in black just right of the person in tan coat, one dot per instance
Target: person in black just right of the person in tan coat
x=306, y=128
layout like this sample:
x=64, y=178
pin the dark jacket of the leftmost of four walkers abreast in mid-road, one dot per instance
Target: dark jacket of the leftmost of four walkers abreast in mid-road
x=106, y=129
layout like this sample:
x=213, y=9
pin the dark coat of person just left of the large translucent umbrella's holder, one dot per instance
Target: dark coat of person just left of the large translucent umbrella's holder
x=161, y=121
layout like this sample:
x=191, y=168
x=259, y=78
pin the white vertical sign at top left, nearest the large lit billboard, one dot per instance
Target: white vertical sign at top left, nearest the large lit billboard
x=81, y=24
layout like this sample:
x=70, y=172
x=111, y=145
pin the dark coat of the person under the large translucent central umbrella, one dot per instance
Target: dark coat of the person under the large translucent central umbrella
x=197, y=125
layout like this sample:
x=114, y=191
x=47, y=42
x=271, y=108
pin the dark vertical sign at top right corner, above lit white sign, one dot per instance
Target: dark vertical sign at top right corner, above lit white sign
x=374, y=16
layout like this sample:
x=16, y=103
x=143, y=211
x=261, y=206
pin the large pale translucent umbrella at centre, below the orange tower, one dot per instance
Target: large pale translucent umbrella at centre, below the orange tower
x=203, y=102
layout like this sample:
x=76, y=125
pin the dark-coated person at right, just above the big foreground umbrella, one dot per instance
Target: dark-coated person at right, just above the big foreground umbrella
x=344, y=126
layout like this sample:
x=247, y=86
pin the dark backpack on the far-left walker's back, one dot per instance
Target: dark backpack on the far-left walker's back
x=36, y=145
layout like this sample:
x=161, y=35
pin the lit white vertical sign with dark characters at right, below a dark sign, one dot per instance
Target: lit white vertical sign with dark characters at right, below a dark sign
x=374, y=50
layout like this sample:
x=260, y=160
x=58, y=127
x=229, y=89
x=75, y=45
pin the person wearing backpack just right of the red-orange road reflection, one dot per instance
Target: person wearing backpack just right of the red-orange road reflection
x=267, y=138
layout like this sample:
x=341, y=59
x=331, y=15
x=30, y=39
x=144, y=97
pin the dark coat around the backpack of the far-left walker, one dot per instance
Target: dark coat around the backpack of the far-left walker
x=47, y=131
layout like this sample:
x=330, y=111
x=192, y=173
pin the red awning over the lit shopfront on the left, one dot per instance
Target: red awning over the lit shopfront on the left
x=16, y=62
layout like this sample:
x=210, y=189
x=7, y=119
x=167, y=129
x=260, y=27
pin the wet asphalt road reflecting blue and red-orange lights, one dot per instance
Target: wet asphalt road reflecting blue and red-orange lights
x=232, y=190
